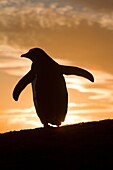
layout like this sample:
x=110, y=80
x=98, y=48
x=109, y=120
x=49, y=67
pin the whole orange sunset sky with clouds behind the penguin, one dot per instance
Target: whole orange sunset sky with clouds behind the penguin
x=72, y=32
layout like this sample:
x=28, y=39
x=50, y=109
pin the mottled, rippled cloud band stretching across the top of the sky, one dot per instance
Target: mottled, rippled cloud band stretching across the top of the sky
x=50, y=14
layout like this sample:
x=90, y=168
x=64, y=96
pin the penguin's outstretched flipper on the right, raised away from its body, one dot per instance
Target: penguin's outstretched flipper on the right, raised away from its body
x=70, y=70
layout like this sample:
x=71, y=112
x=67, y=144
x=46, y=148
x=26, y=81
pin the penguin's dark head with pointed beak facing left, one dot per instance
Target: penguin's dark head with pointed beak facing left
x=34, y=54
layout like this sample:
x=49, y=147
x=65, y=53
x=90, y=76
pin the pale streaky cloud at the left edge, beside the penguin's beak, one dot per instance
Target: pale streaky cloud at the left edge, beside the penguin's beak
x=11, y=63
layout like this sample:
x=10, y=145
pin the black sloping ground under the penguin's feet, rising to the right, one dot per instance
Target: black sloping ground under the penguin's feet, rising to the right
x=85, y=145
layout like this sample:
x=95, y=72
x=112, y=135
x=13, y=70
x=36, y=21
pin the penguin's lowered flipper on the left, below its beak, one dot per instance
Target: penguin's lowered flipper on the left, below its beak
x=28, y=78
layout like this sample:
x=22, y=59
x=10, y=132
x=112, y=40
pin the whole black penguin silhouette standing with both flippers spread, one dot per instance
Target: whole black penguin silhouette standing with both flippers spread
x=49, y=87
